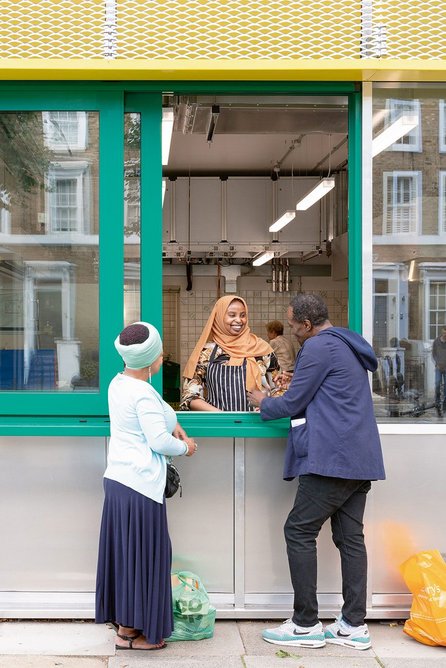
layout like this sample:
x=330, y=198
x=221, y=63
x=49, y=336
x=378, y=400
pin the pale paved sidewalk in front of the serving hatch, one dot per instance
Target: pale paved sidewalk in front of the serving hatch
x=236, y=644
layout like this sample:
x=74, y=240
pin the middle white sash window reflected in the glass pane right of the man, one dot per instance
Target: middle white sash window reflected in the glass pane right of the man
x=402, y=201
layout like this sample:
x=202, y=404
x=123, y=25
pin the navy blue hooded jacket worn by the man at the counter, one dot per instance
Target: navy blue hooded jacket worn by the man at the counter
x=330, y=388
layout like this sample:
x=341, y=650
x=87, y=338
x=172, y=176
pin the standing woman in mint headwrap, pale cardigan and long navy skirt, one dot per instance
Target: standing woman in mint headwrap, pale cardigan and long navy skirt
x=133, y=586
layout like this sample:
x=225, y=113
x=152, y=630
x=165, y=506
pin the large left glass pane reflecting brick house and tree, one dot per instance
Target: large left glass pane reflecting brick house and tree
x=49, y=254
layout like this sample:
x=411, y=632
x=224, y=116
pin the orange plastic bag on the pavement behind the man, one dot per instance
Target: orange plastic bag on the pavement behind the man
x=425, y=575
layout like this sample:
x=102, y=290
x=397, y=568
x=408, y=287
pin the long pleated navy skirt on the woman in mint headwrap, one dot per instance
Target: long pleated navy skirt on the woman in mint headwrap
x=133, y=584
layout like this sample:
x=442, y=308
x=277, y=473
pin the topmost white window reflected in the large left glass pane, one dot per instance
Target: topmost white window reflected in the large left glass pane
x=65, y=130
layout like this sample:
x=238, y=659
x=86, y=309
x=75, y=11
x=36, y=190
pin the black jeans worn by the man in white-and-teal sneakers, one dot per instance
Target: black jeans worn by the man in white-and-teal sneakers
x=343, y=501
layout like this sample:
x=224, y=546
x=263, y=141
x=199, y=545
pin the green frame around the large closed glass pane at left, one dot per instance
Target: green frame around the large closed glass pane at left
x=109, y=105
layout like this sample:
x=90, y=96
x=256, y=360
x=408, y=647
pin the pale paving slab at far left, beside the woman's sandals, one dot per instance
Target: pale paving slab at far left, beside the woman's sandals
x=56, y=639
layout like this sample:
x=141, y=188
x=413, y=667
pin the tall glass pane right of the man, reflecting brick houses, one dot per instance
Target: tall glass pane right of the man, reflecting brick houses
x=409, y=205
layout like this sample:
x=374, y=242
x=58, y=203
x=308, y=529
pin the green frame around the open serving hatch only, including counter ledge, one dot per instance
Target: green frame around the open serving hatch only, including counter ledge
x=149, y=106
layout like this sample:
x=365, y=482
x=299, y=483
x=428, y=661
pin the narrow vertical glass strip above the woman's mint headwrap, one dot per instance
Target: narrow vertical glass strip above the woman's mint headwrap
x=132, y=207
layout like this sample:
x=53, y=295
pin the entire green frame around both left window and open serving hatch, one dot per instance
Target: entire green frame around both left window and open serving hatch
x=27, y=413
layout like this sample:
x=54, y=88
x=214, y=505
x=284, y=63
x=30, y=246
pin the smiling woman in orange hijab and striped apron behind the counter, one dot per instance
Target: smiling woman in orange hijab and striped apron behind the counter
x=227, y=361
